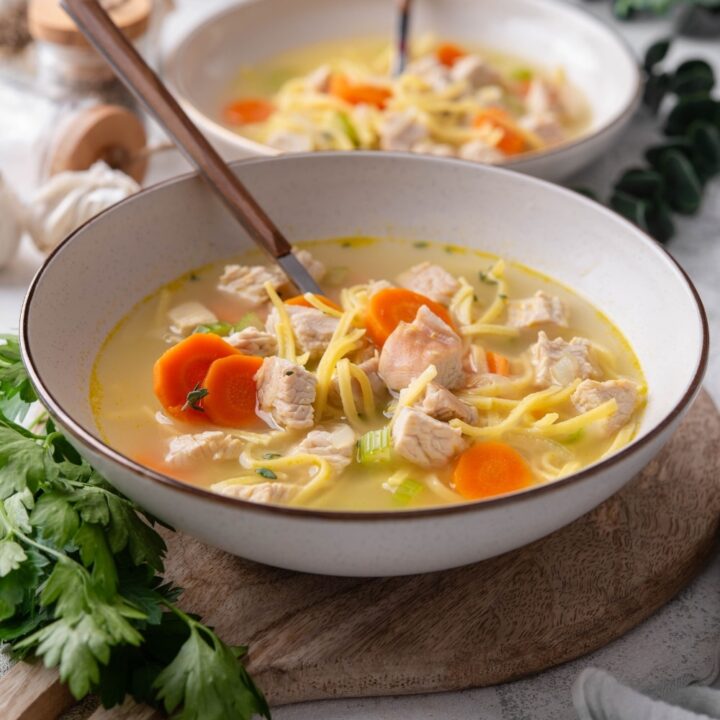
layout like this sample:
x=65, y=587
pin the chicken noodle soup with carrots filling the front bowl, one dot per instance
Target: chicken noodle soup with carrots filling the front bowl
x=453, y=376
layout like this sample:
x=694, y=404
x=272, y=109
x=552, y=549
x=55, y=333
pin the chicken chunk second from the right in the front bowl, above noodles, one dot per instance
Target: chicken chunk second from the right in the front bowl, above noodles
x=558, y=362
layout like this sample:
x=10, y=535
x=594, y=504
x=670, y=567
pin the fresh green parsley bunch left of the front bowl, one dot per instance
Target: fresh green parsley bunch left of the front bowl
x=81, y=585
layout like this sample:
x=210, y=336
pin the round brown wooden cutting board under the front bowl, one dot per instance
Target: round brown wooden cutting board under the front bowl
x=563, y=596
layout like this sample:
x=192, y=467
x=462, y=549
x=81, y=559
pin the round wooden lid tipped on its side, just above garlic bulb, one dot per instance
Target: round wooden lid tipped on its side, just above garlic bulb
x=110, y=133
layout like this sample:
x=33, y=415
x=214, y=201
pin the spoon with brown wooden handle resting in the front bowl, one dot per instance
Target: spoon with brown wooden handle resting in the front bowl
x=129, y=66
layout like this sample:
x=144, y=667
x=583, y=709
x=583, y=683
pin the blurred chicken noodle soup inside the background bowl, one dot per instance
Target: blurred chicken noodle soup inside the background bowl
x=451, y=100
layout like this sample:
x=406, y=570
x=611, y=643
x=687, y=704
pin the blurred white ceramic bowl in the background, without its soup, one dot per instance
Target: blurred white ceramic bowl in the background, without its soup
x=548, y=32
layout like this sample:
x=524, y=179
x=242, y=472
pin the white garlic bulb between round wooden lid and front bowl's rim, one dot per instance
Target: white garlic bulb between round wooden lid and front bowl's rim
x=69, y=199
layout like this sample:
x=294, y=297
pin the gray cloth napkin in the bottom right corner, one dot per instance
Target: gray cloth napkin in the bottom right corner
x=599, y=696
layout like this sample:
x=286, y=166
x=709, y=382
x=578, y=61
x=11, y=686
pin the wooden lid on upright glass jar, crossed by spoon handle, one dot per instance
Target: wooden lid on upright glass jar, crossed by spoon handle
x=48, y=21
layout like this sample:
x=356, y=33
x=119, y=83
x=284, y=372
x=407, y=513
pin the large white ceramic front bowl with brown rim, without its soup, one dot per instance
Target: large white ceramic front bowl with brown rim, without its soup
x=96, y=276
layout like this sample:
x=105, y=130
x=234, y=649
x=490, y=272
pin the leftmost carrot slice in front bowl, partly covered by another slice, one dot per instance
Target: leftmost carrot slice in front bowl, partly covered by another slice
x=181, y=368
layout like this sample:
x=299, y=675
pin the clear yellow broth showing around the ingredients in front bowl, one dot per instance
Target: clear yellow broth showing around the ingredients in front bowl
x=127, y=412
